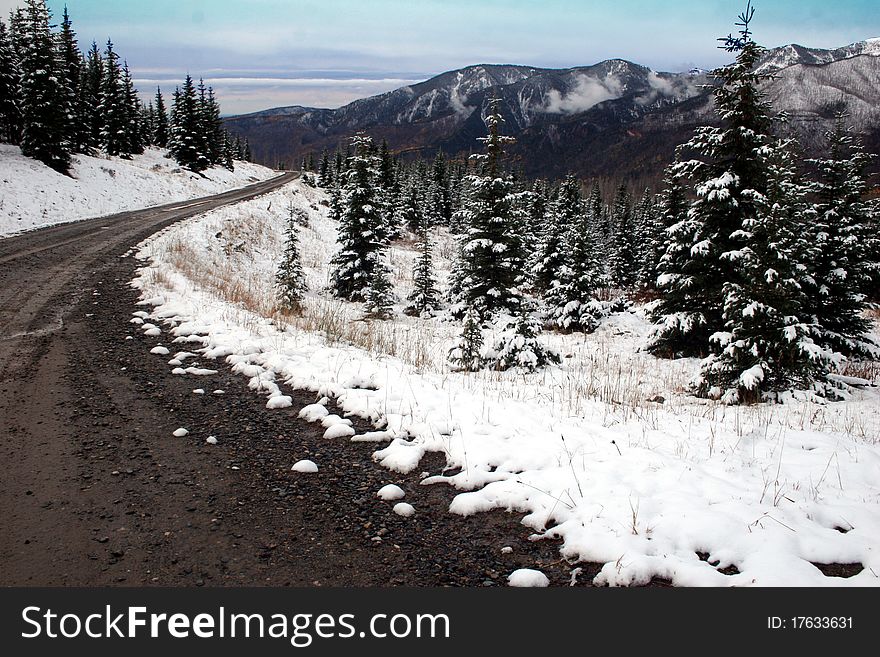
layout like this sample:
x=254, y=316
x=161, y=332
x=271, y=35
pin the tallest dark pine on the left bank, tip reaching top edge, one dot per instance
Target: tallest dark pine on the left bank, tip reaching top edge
x=45, y=99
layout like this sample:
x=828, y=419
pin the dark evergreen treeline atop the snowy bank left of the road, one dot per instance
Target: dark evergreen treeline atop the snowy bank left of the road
x=56, y=100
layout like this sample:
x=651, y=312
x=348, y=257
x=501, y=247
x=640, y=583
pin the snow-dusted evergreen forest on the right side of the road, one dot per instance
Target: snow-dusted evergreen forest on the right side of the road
x=760, y=263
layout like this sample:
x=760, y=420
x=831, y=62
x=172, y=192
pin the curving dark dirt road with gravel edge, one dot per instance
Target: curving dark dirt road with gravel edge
x=95, y=490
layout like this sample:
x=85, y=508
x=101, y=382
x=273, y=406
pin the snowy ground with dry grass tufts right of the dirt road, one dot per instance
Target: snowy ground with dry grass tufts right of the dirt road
x=648, y=488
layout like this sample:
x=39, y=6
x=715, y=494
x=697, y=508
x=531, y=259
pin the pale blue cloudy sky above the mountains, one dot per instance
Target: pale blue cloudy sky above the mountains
x=325, y=53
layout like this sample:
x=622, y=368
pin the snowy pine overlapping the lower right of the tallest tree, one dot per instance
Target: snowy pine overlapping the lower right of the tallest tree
x=765, y=347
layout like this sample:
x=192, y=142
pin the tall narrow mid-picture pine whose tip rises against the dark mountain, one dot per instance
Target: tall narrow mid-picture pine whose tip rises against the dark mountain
x=489, y=266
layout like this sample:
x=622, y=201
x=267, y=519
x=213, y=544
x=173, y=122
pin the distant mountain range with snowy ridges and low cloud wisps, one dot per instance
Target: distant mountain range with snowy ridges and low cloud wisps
x=615, y=119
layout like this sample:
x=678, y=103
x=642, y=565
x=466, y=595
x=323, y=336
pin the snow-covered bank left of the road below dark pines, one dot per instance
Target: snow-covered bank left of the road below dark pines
x=32, y=195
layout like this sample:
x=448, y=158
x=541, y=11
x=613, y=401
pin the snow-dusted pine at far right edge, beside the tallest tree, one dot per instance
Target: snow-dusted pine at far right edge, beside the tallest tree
x=847, y=245
